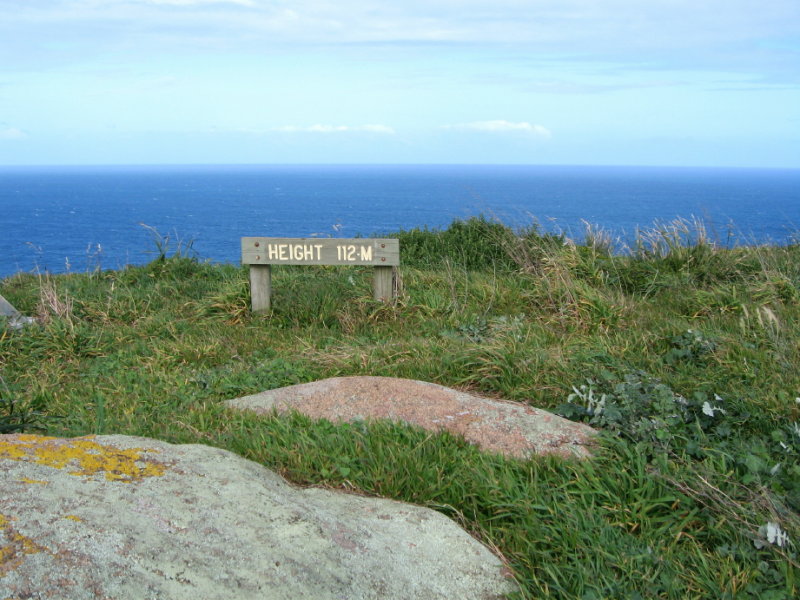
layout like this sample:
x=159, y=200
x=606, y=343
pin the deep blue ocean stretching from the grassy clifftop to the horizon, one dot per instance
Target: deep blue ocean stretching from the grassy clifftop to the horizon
x=59, y=219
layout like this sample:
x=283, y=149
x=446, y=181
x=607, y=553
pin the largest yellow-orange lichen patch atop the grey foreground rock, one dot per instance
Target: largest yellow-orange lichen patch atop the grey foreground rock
x=84, y=456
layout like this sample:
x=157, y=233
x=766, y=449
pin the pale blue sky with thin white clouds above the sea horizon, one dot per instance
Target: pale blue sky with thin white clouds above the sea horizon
x=579, y=82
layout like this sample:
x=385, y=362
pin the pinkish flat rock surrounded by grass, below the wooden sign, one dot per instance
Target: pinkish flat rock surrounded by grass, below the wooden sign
x=510, y=428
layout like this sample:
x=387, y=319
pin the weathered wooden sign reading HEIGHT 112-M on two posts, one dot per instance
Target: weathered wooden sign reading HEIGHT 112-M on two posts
x=261, y=252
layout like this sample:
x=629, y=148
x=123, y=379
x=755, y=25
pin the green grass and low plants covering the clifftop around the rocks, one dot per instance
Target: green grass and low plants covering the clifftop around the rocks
x=686, y=356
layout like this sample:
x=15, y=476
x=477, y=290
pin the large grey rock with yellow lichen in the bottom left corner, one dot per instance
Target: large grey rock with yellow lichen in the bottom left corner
x=132, y=518
